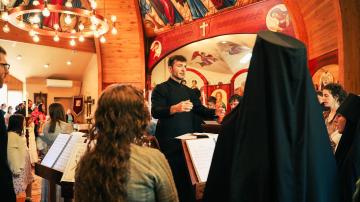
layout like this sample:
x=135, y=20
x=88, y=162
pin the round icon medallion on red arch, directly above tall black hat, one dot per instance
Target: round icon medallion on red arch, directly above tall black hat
x=277, y=19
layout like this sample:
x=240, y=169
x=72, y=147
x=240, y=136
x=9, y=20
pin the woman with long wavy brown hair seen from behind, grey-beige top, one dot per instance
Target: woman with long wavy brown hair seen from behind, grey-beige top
x=114, y=168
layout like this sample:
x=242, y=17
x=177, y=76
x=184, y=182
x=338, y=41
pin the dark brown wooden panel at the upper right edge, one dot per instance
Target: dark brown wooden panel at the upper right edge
x=350, y=13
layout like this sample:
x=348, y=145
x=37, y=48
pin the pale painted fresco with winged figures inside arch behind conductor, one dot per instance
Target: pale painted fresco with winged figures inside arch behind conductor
x=223, y=54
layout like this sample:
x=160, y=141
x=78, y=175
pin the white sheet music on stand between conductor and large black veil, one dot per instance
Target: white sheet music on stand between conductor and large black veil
x=201, y=152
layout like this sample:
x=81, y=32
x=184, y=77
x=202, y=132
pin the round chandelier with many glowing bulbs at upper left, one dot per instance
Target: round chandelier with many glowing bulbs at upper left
x=69, y=19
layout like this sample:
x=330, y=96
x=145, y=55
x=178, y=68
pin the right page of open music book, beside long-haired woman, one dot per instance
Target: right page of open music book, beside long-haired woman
x=76, y=154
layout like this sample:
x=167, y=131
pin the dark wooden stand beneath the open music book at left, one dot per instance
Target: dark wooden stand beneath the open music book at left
x=54, y=177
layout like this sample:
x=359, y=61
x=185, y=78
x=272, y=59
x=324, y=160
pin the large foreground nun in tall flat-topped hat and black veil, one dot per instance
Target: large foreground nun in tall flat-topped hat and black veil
x=274, y=146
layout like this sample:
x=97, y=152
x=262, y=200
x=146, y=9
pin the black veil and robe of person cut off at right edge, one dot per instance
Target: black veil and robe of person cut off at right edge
x=348, y=151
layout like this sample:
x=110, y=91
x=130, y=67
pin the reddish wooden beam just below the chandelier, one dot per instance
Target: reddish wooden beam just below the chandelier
x=19, y=35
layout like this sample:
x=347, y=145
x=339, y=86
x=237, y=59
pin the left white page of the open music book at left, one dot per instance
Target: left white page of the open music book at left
x=55, y=150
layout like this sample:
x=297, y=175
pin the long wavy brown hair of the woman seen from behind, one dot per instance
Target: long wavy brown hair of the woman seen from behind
x=102, y=173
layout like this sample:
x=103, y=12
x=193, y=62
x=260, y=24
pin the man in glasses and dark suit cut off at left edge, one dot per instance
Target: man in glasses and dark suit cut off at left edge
x=7, y=188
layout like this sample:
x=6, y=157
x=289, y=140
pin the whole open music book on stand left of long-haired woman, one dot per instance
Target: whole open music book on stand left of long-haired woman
x=64, y=153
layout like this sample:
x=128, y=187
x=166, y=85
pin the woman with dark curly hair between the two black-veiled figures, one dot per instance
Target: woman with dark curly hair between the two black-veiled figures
x=333, y=96
